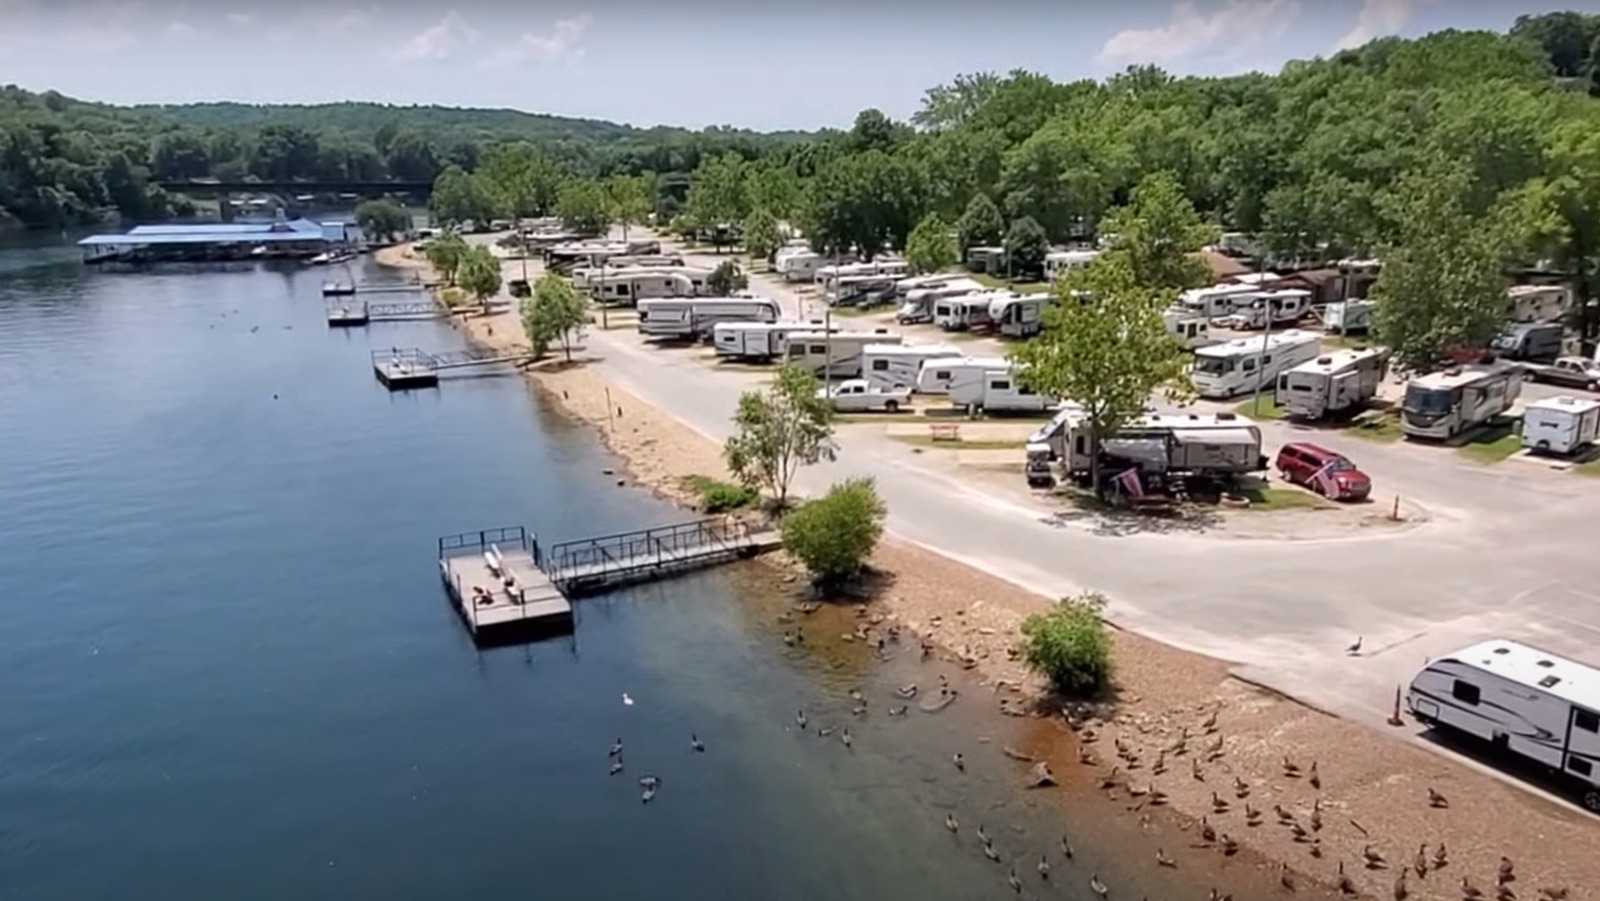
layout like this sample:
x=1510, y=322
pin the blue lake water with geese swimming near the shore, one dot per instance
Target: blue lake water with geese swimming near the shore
x=230, y=670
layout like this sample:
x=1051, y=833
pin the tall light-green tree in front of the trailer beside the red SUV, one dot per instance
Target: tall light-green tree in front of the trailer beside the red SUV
x=1106, y=348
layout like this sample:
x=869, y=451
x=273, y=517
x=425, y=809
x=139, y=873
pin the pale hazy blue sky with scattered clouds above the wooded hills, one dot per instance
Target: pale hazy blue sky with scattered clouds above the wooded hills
x=694, y=63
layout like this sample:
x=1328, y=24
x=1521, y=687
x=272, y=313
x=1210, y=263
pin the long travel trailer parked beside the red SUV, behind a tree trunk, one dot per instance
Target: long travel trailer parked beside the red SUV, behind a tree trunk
x=1175, y=446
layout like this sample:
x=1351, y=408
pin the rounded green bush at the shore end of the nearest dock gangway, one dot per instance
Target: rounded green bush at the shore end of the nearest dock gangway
x=836, y=534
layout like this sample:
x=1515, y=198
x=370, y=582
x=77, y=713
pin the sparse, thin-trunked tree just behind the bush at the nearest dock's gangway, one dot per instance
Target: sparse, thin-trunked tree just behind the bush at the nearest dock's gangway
x=778, y=431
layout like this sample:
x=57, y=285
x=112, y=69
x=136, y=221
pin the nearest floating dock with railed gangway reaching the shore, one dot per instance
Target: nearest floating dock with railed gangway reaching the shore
x=508, y=588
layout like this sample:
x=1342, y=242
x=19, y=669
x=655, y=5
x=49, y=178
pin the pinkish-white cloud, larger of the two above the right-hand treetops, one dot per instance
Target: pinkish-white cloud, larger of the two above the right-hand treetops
x=1231, y=31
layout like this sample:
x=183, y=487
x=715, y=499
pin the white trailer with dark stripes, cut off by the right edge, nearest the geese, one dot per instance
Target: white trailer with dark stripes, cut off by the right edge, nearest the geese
x=1522, y=700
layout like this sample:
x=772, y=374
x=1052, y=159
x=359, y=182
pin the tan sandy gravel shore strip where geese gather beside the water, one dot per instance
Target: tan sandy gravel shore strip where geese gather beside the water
x=1374, y=787
